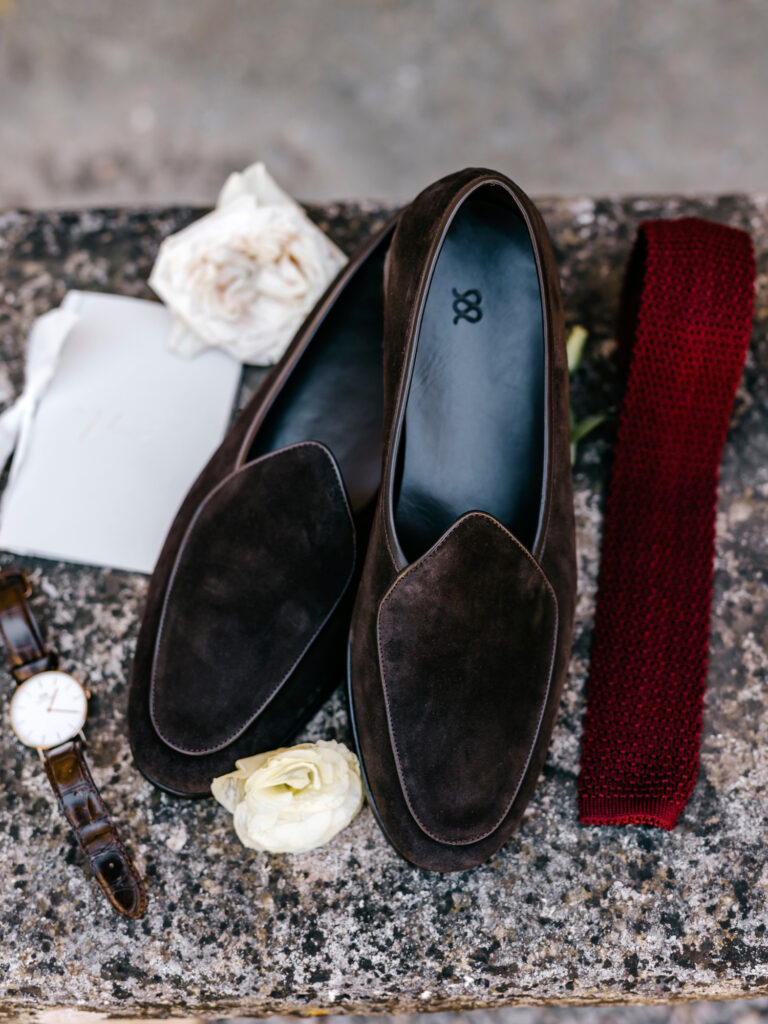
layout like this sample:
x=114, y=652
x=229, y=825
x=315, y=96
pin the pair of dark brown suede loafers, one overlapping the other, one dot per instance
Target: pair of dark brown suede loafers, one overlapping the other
x=420, y=415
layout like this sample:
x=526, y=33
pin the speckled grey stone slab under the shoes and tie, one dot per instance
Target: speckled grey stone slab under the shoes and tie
x=563, y=915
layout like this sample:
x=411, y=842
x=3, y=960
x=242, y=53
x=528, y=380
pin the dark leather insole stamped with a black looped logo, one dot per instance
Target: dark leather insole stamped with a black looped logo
x=475, y=433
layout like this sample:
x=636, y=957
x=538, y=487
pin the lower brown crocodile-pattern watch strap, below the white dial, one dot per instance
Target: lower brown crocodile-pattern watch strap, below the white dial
x=84, y=809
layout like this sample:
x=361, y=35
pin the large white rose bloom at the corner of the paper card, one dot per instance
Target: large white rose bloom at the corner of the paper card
x=245, y=277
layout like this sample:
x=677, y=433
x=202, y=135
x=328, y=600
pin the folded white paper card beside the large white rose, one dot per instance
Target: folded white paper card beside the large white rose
x=109, y=441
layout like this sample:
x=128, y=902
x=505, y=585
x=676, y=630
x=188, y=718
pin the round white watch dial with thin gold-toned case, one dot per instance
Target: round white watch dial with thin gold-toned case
x=49, y=709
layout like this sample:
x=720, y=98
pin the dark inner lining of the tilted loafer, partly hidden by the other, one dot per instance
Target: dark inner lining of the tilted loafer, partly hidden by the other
x=334, y=395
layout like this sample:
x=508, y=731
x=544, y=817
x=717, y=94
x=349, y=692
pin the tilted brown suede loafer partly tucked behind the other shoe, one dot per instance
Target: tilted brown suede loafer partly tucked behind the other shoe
x=248, y=609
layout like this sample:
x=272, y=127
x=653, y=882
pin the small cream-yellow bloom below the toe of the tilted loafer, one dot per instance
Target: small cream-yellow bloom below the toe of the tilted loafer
x=292, y=799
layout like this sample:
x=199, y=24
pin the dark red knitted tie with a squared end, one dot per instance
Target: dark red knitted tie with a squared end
x=687, y=321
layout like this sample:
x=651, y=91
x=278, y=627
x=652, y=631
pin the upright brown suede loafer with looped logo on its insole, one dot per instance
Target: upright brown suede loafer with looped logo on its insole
x=462, y=627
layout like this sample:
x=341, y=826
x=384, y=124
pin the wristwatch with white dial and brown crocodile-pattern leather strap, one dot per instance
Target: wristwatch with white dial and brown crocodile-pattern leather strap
x=49, y=711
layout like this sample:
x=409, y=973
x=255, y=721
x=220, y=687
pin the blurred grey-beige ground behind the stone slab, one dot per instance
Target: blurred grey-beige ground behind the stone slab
x=157, y=101
